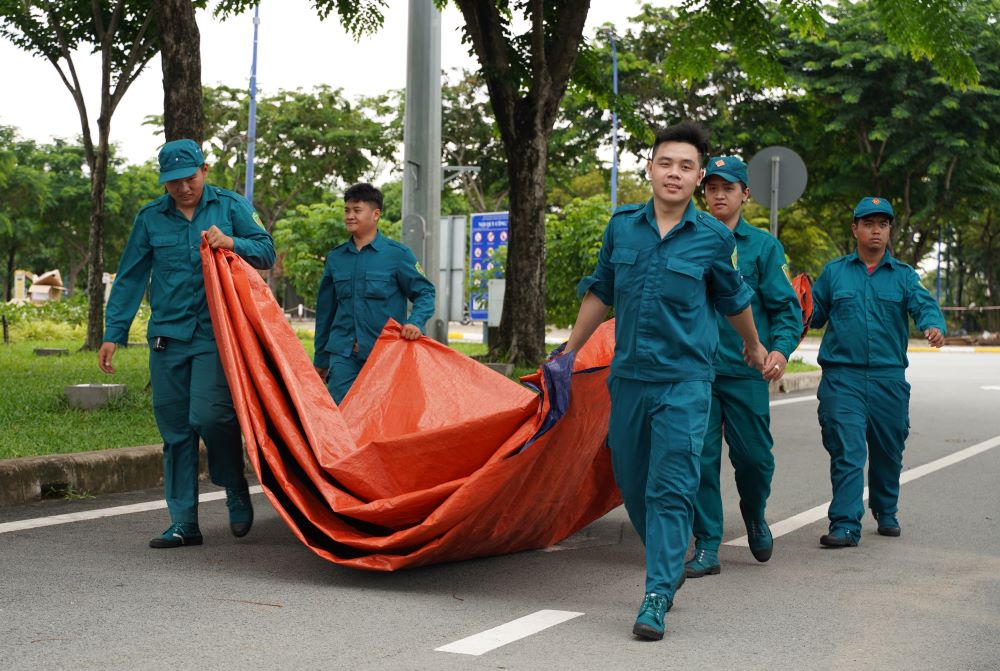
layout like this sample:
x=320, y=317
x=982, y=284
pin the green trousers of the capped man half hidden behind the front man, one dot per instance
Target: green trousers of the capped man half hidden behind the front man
x=740, y=412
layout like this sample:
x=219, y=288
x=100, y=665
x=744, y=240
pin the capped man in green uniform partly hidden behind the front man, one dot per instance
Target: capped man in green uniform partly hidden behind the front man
x=740, y=399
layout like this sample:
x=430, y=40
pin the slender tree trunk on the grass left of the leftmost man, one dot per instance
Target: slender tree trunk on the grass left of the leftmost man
x=95, y=276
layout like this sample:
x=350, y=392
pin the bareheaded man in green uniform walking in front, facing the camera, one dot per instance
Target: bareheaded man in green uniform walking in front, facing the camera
x=666, y=268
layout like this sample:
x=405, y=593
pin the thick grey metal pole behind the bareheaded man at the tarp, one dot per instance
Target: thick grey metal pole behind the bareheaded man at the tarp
x=422, y=150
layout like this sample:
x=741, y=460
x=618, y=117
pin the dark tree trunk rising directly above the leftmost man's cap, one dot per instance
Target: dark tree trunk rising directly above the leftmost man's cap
x=180, y=53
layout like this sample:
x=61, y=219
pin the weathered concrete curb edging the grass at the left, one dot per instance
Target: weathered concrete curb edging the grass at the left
x=101, y=472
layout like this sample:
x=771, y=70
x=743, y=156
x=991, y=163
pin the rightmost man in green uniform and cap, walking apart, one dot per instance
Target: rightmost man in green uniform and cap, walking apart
x=864, y=299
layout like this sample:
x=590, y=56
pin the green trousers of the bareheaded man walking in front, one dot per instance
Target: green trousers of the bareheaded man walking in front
x=655, y=433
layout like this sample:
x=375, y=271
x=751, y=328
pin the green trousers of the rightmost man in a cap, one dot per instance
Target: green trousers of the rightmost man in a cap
x=863, y=418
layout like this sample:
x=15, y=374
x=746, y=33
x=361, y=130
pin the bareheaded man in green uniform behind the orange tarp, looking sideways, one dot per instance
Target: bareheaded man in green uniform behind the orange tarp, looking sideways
x=366, y=280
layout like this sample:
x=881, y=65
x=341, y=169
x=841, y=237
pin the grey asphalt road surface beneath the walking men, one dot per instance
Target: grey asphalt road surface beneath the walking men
x=91, y=595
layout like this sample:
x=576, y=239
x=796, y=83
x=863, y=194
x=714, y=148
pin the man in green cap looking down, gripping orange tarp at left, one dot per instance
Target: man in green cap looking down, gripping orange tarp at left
x=191, y=397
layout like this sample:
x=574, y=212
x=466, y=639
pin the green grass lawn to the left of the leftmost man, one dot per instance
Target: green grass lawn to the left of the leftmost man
x=37, y=419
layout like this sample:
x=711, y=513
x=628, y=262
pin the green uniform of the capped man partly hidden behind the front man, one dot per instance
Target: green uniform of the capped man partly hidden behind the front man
x=740, y=400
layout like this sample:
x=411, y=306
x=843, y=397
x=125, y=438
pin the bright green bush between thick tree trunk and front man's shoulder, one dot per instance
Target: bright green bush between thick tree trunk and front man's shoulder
x=573, y=239
